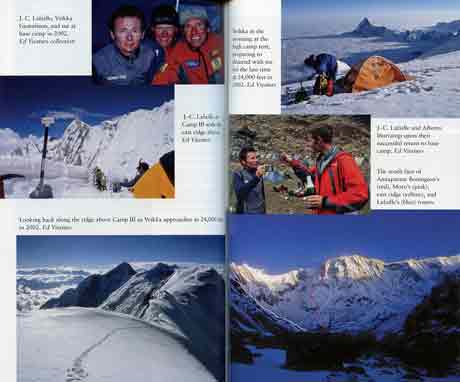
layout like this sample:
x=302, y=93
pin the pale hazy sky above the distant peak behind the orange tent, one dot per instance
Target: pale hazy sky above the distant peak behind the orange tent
x=331, y=16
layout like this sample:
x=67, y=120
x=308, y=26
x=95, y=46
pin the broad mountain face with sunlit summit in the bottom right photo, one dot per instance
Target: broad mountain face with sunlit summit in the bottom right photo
x=349, y=293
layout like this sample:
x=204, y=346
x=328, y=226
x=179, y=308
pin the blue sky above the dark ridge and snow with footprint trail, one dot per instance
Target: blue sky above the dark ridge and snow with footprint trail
x=90, y=251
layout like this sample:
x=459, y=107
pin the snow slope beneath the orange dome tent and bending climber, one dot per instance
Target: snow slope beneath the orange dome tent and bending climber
x=436, y=83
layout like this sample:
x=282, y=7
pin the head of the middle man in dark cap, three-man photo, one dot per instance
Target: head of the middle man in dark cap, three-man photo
x=164, y=27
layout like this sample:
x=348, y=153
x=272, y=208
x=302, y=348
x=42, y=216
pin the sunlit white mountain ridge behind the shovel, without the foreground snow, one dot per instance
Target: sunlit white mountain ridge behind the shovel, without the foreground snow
x=114, y=145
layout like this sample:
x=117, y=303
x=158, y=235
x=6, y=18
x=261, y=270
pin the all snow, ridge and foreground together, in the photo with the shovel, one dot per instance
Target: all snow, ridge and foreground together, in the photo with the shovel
x=115, y=145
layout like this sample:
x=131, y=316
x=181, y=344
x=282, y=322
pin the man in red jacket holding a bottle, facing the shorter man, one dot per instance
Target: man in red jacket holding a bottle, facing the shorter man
x=340, y=186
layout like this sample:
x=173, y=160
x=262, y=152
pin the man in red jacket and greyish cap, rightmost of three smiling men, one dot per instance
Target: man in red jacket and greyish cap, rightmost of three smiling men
x=199, y=57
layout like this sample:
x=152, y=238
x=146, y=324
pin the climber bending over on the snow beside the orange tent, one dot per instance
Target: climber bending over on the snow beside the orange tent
x=325, y=66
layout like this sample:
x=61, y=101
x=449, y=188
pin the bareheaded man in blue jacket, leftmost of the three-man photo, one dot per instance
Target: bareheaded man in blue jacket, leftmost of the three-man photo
x=127, y=60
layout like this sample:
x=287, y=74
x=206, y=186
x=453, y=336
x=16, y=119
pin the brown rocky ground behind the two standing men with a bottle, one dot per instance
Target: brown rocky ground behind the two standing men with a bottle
x=271, y=135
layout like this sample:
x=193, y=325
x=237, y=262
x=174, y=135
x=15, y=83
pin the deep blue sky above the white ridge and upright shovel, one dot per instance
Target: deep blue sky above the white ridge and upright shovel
x=24, y=100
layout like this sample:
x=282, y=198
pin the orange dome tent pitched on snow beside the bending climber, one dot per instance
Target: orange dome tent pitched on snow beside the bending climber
x=373, y=72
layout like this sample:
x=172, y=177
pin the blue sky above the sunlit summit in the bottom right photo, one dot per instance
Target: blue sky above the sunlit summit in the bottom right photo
x=279, y=243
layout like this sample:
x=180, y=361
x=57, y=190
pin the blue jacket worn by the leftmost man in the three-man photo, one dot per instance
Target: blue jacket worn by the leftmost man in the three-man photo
x=110, y=67
